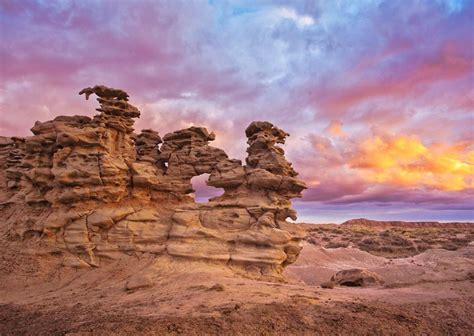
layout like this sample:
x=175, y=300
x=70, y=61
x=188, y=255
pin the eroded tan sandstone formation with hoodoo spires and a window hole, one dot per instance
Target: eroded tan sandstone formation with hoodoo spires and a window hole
x=94, y=190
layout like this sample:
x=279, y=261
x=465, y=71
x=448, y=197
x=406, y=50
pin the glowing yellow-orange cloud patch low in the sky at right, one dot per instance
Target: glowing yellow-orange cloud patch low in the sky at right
x=405, y=161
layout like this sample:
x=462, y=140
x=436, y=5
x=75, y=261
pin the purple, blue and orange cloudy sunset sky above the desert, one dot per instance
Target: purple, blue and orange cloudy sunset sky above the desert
x=378, y=96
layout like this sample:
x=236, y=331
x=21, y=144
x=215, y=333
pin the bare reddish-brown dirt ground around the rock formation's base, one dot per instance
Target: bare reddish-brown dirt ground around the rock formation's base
x=424, y=293
